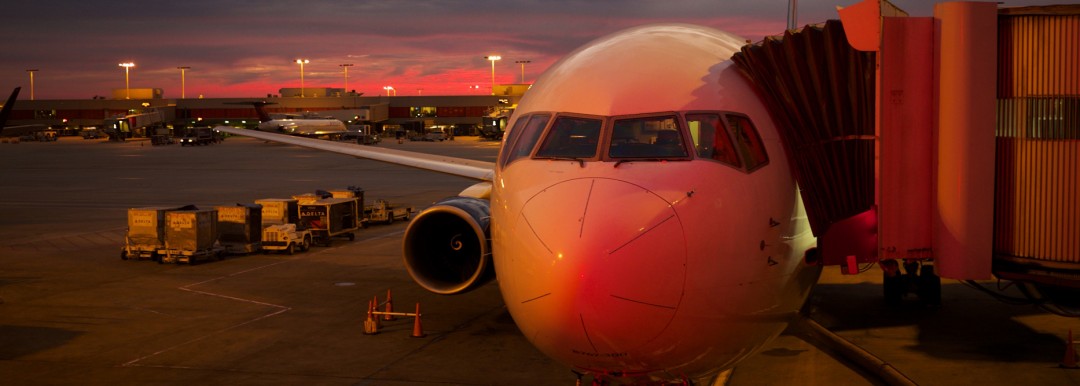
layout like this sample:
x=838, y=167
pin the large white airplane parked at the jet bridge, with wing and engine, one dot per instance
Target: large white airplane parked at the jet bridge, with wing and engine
x=642, y=219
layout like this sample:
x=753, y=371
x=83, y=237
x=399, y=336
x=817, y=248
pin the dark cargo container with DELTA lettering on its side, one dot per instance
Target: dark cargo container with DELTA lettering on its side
x=331, y=218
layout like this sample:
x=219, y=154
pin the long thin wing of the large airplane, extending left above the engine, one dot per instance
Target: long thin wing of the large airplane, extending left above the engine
x=460, y=167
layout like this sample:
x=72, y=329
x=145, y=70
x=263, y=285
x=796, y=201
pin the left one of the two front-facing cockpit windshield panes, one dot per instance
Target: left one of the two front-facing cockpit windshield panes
x=572, y=138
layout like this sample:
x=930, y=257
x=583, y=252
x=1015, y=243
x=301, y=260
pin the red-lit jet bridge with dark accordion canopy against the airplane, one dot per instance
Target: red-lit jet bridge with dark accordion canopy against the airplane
x=953, y=139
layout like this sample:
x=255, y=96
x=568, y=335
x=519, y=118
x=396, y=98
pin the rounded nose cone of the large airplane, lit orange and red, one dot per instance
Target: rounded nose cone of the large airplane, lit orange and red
x=614, y=254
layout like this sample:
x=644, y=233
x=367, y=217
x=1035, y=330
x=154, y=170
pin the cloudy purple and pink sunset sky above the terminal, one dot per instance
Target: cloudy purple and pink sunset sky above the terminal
x=239, y=49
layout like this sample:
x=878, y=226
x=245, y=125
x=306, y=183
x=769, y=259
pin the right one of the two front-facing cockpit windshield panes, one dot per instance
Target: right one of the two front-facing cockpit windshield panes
x=647, y=138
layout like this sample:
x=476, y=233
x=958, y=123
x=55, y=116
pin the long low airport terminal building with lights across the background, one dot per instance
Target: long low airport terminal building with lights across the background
x=466, y=113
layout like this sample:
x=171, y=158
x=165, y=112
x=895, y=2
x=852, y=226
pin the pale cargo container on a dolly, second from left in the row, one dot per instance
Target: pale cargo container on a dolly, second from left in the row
x=191, y=236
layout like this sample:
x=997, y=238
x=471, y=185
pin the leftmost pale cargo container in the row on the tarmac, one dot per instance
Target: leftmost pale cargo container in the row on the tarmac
x=146, y=233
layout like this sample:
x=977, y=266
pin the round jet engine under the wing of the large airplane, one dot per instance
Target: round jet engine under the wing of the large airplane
x=448, y=249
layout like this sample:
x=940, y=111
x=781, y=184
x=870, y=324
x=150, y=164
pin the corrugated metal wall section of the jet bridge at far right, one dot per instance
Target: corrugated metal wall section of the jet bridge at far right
x=1037, y=204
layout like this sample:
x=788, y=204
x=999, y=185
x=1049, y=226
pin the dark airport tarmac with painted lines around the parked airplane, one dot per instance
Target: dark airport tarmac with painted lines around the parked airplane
x=72, y=312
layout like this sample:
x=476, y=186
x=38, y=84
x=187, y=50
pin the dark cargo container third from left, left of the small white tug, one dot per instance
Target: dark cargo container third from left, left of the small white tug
x=240, y=228
